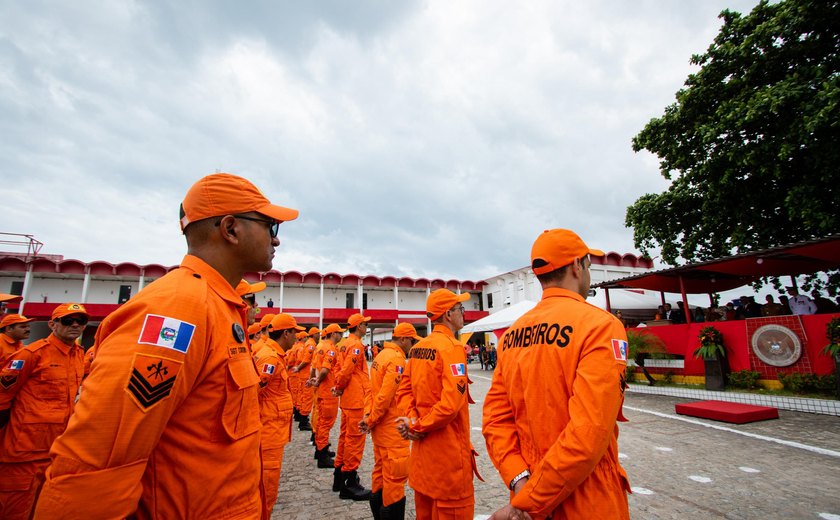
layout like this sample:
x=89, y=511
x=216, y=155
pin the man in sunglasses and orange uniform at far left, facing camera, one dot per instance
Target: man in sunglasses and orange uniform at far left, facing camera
x=38, y=387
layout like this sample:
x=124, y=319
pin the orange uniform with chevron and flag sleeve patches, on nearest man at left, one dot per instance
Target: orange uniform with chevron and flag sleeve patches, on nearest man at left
x=173, y=411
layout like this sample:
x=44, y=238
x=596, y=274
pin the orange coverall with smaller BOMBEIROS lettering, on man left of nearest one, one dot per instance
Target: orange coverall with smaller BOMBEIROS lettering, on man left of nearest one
x=434, y=391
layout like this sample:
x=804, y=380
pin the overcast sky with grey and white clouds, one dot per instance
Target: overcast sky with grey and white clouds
x=431, y=139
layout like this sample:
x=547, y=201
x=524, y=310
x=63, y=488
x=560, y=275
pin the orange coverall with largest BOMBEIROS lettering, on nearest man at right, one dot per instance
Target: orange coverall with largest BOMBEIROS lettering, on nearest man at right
x=552, y=408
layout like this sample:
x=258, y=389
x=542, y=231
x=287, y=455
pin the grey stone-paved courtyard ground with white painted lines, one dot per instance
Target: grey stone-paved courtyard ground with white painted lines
x=679, y=467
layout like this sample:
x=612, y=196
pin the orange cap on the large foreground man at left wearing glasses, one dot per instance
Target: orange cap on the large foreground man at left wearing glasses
x=225, y=194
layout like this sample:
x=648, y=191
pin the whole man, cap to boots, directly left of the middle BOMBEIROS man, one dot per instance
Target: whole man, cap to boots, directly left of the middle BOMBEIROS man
x=390, y=450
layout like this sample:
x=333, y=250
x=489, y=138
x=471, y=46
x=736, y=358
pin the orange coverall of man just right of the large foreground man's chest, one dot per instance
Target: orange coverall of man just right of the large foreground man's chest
x=275, y=415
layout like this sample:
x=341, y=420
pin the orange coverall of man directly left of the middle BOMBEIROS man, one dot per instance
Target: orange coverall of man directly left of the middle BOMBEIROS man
x=390, y=450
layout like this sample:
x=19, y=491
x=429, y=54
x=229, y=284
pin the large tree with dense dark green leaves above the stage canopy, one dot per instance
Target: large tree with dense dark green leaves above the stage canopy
x=751, y=145
